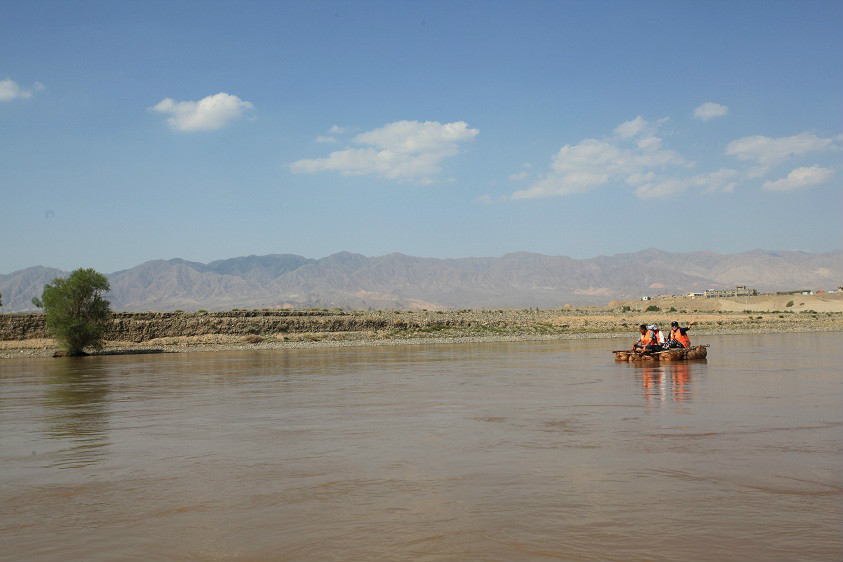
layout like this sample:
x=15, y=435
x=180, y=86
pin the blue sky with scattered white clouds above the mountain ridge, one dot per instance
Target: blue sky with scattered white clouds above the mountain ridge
x=132, y=131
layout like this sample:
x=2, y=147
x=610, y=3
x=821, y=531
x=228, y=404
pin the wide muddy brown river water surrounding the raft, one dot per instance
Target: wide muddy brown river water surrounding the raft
x=521, y=451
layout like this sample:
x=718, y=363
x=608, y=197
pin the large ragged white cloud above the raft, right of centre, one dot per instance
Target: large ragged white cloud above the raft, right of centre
x=632, y=155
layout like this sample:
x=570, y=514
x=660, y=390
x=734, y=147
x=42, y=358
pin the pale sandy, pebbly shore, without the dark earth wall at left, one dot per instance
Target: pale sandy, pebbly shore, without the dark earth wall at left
x=821, y=313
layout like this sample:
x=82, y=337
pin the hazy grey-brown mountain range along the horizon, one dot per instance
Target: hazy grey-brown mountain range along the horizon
x=518, y=280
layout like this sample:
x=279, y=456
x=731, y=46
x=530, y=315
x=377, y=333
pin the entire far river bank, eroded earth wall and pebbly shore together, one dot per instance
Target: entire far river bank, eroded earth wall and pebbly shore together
x=24, y=335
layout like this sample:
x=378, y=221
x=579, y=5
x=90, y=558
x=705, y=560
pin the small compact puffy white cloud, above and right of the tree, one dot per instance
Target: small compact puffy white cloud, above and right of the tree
x=207, y=114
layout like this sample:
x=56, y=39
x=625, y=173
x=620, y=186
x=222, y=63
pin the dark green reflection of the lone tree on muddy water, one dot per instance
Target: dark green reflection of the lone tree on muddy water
x=76, y=410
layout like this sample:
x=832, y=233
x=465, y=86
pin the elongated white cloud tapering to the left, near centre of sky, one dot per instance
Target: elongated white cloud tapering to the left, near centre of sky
x=407, y=151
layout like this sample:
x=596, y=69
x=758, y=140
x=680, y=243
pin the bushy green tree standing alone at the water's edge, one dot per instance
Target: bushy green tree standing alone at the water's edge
x=77, y=314
